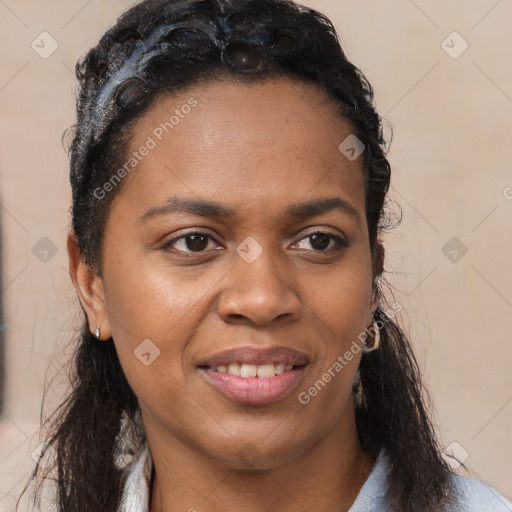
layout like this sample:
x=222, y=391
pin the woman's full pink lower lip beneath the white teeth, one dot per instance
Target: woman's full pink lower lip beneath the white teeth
x=254, y=390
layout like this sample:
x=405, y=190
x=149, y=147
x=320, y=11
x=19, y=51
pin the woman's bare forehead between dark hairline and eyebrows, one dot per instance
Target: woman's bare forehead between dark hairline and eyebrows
x=265, y=141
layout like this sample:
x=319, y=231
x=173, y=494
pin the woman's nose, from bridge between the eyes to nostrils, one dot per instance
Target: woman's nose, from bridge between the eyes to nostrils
x=257, y=293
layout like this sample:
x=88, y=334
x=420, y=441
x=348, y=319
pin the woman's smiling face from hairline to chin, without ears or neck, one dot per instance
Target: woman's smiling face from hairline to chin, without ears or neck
x=241, y=228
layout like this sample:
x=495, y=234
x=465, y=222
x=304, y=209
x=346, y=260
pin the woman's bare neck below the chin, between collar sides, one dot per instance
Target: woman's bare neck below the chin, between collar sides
x=326, y=477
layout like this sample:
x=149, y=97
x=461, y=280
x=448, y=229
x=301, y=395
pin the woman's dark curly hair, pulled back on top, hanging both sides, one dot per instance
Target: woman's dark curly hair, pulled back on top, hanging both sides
x=161, y=47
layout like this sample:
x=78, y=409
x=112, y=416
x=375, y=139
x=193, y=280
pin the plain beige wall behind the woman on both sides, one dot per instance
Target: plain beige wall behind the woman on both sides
x=452, y=174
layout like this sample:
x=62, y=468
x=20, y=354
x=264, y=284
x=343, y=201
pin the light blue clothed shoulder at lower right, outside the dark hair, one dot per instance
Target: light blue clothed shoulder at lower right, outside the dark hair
x=474, y=496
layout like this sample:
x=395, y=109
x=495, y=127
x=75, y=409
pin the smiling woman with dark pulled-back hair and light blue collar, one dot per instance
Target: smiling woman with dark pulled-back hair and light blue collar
x=229, y=180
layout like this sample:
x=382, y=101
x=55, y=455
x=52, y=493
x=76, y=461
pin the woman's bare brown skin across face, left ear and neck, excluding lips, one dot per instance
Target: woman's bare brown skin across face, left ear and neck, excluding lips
x=257, y=150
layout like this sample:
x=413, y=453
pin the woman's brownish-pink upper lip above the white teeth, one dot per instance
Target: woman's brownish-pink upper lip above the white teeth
x=256, y=356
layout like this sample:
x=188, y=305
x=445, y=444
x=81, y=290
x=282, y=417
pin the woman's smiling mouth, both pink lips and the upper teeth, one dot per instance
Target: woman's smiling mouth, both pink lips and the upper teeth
x=255, y=376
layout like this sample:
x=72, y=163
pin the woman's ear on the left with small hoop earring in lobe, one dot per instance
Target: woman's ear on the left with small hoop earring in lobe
x=89, y=287
